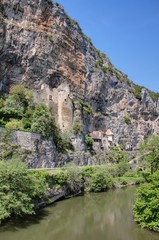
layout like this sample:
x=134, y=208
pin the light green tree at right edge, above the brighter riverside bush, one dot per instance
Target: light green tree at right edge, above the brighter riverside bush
x=150, y=152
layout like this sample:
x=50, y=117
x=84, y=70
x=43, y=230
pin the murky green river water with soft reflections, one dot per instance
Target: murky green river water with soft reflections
x=95, y=216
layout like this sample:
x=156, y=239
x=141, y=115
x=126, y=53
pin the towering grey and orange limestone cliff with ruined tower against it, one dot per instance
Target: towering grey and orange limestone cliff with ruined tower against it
x=42, y=48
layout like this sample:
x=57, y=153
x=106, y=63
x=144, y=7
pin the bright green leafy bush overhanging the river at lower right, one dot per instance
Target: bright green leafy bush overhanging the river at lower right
x=146, y=207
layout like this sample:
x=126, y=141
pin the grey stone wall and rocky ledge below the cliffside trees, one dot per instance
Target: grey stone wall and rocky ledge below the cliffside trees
x=42, y=153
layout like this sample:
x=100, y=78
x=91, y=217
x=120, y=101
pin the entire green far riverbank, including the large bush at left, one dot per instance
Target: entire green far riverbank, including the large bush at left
x=23, y=191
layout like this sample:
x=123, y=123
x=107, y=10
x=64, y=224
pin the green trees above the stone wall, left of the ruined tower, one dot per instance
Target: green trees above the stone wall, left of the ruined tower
x=19, y=112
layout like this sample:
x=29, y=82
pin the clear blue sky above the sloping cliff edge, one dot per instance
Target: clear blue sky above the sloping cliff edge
x=126, y=30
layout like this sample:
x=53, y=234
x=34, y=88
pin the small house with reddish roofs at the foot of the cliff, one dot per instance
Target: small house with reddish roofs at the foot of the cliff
x=102, y=140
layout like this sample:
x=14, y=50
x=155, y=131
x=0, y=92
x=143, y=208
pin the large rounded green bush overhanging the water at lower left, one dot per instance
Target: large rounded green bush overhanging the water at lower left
x=19, y=189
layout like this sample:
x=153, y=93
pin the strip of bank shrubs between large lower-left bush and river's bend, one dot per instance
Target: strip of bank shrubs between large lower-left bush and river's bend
x=72, y=180
